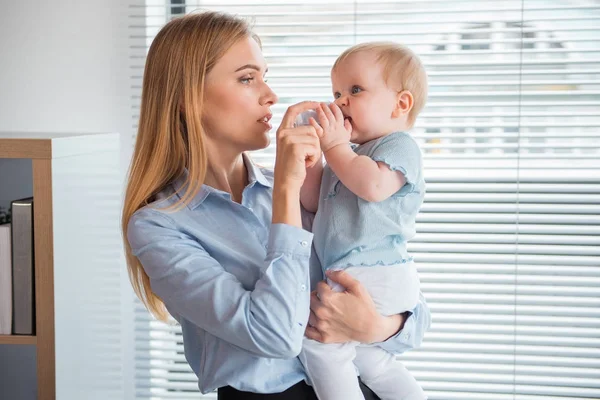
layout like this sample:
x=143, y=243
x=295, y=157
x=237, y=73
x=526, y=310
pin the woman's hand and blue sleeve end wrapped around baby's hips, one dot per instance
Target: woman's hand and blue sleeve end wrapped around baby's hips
x=351, y=315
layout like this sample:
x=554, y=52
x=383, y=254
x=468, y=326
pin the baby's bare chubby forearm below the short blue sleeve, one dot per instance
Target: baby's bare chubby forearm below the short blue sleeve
x=368, y=179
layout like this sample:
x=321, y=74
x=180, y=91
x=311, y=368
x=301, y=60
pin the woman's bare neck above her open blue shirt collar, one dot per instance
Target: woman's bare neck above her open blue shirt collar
x=228, y=174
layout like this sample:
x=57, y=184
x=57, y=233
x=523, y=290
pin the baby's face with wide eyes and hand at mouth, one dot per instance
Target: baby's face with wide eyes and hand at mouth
x=364, y=97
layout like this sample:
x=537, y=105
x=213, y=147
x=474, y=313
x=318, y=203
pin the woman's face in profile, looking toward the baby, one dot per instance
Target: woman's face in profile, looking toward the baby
x=237, y=99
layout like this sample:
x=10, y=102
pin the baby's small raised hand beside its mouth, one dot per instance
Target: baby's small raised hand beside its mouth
x=332, y=129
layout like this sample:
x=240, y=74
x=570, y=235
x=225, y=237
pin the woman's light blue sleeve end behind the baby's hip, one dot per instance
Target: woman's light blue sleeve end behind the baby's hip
x=411, y=335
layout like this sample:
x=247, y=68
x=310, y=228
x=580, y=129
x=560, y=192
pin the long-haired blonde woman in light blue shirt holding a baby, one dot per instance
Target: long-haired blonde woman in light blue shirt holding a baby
x=216, y=241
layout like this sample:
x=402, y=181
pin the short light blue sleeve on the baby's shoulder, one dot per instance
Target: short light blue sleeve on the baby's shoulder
x=401, y=153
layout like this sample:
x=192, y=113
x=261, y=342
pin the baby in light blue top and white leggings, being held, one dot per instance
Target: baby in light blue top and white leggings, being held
x=366, y=200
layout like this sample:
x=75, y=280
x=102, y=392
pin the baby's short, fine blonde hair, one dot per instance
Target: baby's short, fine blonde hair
x=402, y=70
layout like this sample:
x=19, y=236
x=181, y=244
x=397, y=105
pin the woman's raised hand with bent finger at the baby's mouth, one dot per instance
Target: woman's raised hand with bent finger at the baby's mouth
x=297, y=148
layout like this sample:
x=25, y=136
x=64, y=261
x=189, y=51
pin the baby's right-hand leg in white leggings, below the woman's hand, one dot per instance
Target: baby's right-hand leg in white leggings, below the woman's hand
x=386, y=376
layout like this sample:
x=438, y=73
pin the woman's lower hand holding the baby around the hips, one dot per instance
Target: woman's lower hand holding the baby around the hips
x=338, y=317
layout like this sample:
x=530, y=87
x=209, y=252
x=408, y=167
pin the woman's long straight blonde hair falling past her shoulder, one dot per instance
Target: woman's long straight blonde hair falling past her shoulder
x=170, y=137
